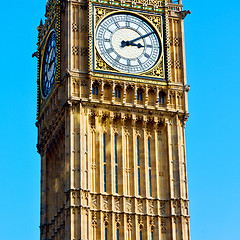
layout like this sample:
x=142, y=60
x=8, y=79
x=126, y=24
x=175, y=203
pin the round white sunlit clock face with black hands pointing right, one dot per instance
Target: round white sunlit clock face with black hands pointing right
x=128, y=43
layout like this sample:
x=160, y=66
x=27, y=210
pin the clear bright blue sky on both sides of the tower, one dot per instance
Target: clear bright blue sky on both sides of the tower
x=212, y=35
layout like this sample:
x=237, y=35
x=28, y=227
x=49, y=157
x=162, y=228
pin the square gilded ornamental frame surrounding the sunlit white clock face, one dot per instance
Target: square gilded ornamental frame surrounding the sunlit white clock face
x=99, y=68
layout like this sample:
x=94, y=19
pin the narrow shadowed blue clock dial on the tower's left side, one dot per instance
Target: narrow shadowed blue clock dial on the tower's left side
x=49, y=64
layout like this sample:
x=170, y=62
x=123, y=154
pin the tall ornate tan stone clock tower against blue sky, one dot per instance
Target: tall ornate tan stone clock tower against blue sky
x=112, y=108
